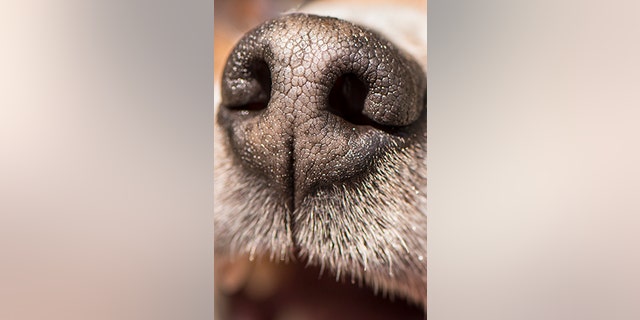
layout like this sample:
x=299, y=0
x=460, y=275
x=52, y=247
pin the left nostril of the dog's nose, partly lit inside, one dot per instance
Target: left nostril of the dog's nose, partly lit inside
x=256, y=93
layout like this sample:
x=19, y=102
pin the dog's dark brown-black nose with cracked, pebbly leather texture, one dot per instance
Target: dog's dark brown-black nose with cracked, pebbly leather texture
x=311, y=102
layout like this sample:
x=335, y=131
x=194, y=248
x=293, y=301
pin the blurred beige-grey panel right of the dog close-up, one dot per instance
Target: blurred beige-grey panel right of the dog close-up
x=534, y=146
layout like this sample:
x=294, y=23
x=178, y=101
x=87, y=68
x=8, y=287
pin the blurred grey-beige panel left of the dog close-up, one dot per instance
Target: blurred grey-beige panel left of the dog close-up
x=106, y=155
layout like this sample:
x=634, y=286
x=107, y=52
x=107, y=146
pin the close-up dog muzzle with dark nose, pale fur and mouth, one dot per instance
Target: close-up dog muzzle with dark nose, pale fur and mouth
x=320, y=167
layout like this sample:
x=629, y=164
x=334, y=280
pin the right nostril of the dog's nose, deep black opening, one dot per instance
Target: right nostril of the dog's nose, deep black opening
x=346, y=99
